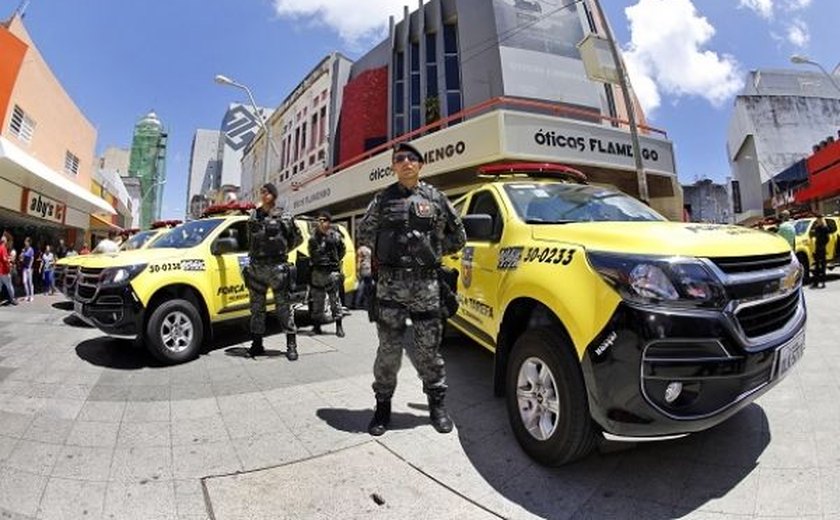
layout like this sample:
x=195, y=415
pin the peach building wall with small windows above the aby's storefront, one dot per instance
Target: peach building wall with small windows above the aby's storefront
x=59, y=124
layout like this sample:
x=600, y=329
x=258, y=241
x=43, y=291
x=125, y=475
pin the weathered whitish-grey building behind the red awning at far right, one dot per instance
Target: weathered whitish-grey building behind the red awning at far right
x=775, y=123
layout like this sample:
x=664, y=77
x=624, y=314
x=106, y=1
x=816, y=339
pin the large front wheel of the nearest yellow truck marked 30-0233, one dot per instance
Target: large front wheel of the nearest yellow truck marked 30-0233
x=546, y=399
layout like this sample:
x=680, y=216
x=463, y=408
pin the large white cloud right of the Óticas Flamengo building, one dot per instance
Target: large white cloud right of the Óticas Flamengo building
x=666, y=53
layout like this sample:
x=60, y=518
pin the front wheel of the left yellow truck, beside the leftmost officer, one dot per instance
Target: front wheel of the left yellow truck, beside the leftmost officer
x=174, y=332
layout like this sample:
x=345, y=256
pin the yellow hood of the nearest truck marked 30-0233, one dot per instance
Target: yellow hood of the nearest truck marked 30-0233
x=664, y=238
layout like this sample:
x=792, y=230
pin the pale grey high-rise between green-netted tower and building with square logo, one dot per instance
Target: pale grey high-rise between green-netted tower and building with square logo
x=205, y=167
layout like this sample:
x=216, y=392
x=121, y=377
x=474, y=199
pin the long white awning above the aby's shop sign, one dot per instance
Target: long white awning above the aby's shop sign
x=20, y=168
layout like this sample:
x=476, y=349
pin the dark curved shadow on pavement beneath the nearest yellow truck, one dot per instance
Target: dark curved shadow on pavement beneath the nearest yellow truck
x=656, y=480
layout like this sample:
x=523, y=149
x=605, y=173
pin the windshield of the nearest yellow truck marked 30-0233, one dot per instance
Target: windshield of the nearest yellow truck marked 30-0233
x=563, y=203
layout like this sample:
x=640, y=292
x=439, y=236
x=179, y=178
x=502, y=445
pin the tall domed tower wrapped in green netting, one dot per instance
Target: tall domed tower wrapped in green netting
x=148, y=164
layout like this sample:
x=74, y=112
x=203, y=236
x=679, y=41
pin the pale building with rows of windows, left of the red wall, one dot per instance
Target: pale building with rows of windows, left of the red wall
x=302, y=128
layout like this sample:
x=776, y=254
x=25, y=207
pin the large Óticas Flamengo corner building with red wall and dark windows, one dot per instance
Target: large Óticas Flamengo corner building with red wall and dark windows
x=475, y=82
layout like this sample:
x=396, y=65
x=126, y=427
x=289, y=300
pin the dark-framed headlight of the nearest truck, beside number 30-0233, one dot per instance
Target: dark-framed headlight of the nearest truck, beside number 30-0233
x=652, y=280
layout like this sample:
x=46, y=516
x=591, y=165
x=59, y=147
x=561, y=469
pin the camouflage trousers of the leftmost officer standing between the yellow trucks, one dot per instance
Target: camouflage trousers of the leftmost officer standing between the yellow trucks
x=259, y=277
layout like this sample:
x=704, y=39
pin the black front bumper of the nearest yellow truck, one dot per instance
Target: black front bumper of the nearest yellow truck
x=655, y=373
